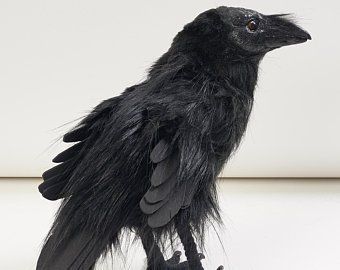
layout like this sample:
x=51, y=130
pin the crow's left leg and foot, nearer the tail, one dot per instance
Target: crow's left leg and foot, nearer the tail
x=155, y=259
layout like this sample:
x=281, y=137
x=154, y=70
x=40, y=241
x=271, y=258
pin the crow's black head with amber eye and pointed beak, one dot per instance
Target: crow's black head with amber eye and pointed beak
x=238, y=33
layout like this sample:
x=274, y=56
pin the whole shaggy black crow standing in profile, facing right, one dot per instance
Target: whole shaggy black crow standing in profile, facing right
x=148, y=160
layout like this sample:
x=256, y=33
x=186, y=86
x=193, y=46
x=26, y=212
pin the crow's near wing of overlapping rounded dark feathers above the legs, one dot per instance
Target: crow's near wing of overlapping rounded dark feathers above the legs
x=184, y=164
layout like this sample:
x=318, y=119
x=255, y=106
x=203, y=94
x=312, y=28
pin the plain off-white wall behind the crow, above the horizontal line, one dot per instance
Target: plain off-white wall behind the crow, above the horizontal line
x=58, y=59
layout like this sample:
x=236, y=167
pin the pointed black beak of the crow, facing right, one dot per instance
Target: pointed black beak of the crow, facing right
x=282, y=32
